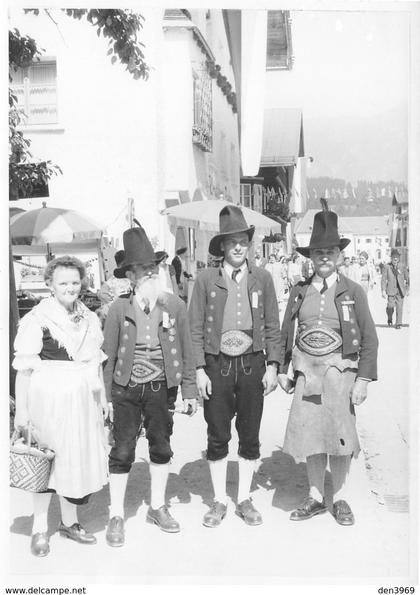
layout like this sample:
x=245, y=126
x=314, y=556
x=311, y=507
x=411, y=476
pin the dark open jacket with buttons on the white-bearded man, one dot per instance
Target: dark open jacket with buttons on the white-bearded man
x=120, y=340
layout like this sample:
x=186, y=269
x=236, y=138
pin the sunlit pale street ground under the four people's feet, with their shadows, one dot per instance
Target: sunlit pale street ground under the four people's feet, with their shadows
x=379, y=549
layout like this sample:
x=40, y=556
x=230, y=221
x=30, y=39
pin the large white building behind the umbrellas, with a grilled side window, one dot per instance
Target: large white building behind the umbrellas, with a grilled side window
x=129, y=148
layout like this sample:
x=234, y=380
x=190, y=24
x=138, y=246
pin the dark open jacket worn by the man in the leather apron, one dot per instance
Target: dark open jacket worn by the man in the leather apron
x=357, y=327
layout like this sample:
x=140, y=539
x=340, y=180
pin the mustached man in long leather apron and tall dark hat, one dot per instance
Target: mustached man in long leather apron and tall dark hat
x=329, y=338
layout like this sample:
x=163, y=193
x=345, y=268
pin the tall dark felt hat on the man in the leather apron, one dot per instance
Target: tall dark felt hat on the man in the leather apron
x=324, y=232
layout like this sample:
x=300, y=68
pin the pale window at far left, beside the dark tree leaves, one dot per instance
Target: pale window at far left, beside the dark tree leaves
x=36, y=91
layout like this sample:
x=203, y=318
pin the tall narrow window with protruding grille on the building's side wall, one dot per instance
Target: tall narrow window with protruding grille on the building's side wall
x=202, y=132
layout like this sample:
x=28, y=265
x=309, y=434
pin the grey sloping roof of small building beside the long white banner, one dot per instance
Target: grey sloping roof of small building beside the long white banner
x=282, y=137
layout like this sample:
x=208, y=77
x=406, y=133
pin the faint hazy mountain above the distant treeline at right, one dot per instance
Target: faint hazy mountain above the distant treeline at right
x=359, y=148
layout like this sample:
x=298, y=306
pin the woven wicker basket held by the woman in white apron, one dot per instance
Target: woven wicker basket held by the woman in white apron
x=30, y=466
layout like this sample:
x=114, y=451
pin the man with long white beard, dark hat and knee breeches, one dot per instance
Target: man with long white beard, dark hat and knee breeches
x=148, y=344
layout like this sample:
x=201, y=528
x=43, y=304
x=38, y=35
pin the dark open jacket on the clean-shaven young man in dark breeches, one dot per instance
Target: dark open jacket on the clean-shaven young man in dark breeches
x=207, y=307
